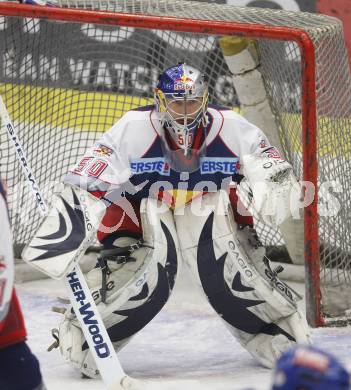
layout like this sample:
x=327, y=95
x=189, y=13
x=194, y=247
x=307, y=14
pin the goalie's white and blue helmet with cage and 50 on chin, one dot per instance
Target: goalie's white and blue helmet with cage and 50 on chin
x=181, y=98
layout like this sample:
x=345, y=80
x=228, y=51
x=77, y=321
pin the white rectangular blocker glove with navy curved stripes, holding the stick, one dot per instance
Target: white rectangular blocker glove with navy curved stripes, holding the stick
x=65, y=233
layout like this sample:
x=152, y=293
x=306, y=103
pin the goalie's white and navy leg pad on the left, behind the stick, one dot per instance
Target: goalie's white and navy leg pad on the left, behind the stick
x=136, y=290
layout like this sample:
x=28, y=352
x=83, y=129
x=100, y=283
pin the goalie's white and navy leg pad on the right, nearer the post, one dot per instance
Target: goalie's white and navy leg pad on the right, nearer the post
x=259, y=309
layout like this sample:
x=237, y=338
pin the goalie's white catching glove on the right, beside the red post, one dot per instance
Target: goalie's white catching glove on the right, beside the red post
x=275, y=189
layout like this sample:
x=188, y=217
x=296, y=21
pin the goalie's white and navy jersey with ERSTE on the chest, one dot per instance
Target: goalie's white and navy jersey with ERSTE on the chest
x=131, y=152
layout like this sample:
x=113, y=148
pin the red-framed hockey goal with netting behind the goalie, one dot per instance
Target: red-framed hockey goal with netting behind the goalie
x=68, y=73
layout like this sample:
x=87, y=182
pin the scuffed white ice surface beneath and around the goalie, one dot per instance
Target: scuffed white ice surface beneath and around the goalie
x=186, y=347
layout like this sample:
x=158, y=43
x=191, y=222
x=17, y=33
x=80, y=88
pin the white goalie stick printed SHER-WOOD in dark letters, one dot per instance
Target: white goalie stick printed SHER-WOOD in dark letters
x=80, y=296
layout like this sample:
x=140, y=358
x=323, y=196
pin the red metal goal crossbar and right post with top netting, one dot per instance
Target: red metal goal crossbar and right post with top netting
x=222, y=20
